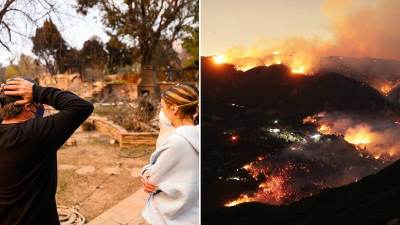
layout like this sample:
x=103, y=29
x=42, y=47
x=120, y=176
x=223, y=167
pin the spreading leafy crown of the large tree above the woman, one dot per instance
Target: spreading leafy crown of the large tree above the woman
x=145, y=23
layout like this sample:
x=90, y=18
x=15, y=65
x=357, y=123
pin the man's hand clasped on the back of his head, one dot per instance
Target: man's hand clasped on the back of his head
x=19, y=87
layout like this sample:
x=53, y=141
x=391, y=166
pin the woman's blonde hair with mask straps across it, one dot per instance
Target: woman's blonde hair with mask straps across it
x=186, y=97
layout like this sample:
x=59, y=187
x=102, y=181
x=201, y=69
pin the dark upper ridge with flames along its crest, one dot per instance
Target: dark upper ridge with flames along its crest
x=275, y=89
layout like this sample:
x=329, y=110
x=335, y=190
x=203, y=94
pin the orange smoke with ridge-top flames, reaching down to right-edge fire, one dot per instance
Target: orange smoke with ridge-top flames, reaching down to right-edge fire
x=370, y=43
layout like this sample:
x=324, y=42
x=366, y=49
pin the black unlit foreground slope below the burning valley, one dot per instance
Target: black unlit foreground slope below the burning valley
x=373, y=200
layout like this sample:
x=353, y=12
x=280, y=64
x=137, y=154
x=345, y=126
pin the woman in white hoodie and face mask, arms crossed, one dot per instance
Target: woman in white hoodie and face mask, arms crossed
x=172, y=176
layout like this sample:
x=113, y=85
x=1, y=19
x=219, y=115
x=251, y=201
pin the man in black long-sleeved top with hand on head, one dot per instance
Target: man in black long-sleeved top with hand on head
x=28, y=149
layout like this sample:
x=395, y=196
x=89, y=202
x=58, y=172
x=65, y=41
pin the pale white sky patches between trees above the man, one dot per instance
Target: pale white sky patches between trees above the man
x=75, y=29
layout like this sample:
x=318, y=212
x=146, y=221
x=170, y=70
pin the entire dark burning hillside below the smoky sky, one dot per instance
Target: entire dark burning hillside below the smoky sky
x=288, y=144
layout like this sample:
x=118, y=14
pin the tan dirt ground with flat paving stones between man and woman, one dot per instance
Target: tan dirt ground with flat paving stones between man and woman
x=95, y=174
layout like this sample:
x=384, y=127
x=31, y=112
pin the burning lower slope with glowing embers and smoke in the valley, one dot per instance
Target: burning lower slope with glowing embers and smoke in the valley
x=339, y=150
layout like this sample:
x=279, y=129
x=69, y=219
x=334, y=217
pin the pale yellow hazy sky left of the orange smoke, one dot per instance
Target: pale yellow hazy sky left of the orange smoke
x=227, y=23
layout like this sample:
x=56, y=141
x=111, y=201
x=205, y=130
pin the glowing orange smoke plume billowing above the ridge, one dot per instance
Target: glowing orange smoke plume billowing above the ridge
x=359, y=29
